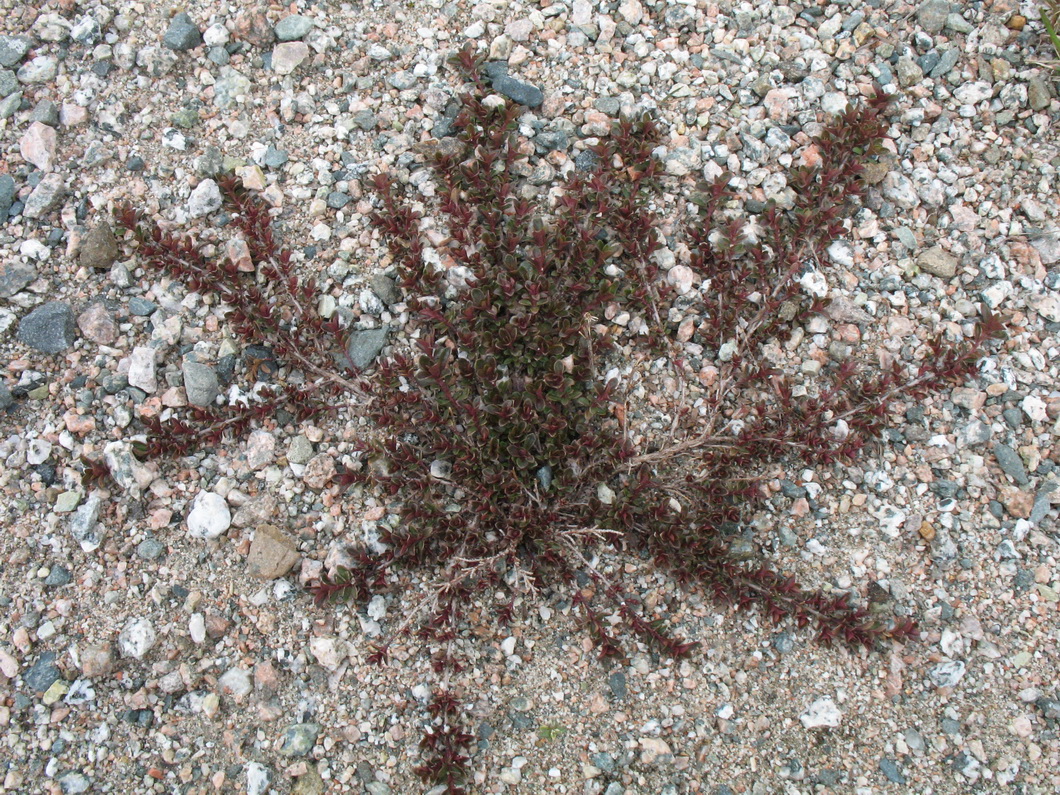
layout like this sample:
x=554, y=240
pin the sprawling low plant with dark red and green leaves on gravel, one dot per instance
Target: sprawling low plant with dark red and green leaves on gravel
x=510, y=457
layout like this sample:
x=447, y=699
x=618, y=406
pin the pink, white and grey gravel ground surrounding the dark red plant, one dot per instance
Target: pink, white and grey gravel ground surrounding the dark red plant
x=155, y=639
